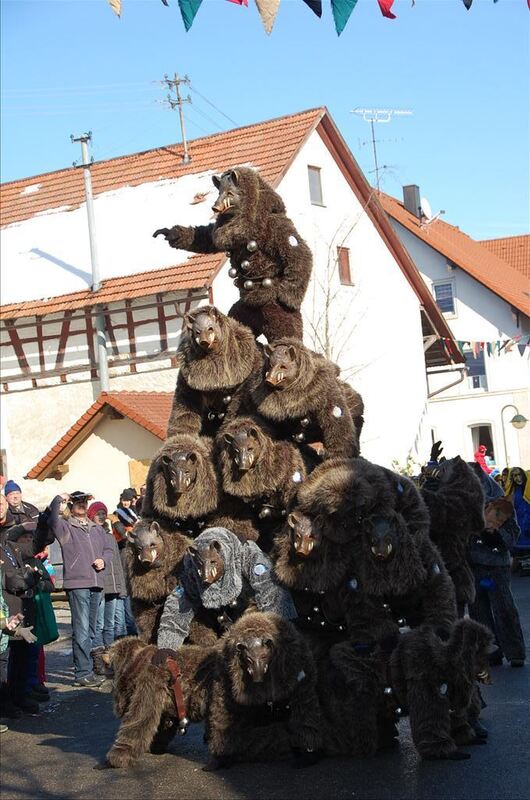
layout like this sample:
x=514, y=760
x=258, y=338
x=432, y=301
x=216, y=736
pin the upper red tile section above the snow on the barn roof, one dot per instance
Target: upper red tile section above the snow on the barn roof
x=270, y=146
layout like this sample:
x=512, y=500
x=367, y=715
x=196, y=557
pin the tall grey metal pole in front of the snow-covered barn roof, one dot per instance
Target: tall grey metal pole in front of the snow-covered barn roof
x=101, y=335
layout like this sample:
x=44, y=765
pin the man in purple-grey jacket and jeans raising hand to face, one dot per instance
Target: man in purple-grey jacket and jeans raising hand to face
x=86, y=550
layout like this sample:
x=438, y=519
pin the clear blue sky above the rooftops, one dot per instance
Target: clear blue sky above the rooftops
x=72, y=65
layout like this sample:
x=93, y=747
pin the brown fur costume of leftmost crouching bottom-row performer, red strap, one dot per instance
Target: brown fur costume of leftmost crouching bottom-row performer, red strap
x=144, y=701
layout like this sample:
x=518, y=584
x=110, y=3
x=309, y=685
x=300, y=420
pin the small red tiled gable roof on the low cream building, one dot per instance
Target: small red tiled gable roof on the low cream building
x=149, y=409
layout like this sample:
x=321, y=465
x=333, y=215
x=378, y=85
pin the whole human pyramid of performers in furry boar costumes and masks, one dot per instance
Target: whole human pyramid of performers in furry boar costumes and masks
x=292, y=595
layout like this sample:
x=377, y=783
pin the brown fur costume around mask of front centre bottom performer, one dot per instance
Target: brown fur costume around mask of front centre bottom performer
x=248, y=720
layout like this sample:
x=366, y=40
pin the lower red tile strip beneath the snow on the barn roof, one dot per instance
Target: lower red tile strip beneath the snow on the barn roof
x=196, y=273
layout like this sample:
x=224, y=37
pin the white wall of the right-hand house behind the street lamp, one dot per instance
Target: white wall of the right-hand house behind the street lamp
x=480, y=315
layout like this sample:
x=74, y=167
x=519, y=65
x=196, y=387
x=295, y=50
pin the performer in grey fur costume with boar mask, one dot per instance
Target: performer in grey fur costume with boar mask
x=243, y=575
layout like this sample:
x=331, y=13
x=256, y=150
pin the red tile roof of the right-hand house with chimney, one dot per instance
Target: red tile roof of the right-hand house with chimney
x=466, y=253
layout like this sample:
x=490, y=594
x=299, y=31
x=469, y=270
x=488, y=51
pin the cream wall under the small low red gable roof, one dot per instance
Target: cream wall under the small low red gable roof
x=101, y=464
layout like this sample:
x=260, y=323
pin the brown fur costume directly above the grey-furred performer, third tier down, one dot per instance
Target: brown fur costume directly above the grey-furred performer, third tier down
x=260, y=472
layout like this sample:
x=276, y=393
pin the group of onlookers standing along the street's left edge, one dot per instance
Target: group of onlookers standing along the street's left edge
x=92, y=543
